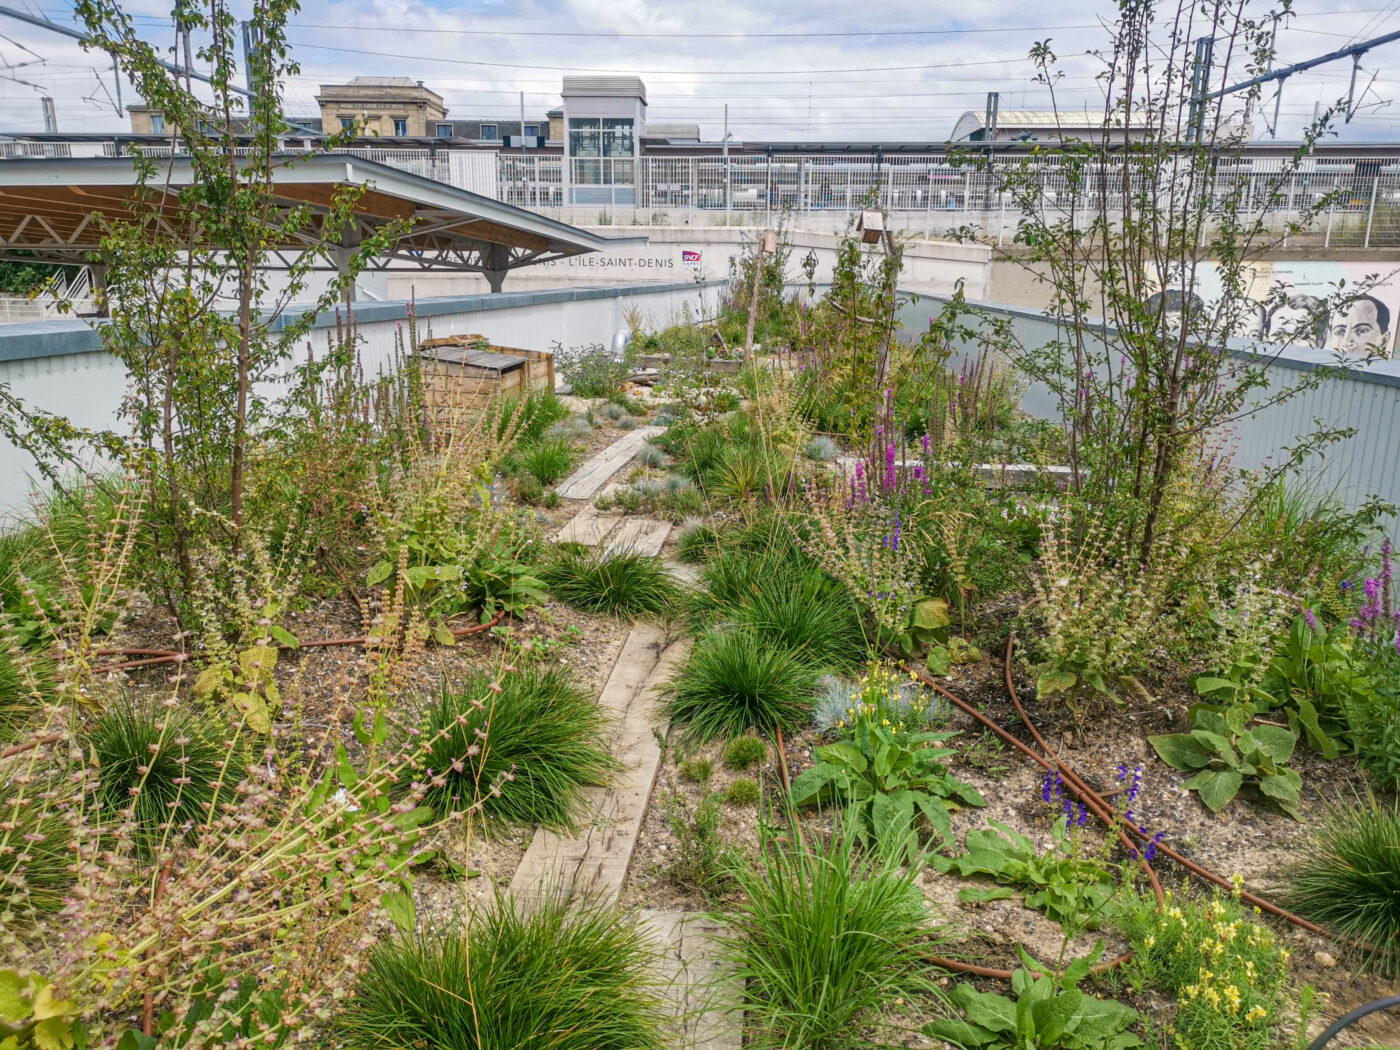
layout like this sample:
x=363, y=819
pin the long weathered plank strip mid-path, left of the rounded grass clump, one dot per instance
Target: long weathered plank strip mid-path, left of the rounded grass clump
x=596, y=862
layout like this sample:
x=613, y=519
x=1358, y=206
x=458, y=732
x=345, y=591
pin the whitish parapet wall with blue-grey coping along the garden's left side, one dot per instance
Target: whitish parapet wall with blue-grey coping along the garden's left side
x=61, y=366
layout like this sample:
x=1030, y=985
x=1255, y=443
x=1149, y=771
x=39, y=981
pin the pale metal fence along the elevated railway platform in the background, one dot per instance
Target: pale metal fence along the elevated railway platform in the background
x=926, y=194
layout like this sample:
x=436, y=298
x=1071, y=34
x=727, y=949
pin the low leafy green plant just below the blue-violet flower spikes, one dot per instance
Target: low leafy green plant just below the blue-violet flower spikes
x=1072, y=890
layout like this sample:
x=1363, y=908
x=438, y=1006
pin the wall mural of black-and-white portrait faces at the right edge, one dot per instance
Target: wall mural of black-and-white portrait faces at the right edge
x=1290, y=299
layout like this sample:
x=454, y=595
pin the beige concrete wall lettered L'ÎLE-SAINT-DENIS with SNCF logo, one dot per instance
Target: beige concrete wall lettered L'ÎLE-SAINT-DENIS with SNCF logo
x=680, y=253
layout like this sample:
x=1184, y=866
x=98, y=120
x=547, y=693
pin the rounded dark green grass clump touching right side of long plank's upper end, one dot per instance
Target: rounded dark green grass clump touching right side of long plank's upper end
x=736, y=681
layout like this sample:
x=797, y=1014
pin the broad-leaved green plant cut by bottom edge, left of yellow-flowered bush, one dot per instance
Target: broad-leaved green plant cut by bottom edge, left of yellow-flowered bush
x=1045, y=1011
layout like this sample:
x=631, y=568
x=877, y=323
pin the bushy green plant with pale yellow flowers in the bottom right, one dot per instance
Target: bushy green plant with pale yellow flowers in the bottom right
x=1226, y=971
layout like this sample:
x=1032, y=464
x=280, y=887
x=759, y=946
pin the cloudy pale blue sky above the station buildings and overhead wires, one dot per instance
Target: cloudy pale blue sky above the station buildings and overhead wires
x=890, y=71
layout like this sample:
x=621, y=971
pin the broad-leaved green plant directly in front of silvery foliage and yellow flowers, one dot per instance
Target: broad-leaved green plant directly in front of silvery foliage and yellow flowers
x=884, y=779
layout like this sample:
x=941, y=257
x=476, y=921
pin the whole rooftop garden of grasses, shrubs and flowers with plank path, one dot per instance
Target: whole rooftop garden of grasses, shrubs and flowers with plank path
x=951, y=727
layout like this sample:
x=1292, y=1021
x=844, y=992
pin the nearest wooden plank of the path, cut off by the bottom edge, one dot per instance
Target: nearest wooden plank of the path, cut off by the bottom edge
x=688, y=964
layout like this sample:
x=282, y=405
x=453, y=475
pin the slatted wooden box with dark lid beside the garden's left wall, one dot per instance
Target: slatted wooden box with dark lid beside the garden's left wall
x=461, y=374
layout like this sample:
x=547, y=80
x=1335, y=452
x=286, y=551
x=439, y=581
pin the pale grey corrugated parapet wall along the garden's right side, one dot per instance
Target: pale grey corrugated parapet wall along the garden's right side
x=1367, y=398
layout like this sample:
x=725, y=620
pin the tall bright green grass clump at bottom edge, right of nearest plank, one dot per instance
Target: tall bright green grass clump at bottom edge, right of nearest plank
x=824, y=940
